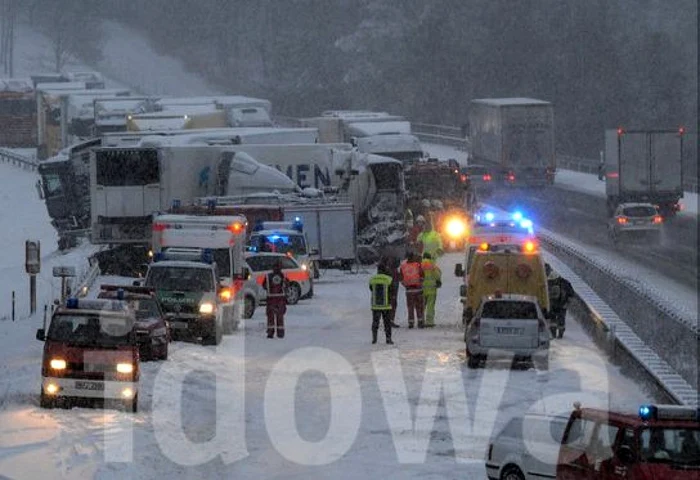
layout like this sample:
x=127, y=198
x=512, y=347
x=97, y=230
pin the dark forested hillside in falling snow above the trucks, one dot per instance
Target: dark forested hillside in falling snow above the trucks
x=603, y=63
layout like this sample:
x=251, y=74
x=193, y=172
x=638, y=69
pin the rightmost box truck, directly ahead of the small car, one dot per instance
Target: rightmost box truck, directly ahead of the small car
x=644, y=166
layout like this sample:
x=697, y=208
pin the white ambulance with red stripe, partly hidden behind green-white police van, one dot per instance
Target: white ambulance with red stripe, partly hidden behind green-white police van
x=225, y=237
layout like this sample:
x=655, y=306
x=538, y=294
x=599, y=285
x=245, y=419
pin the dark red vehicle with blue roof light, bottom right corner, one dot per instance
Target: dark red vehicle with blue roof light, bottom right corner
x=658, y=442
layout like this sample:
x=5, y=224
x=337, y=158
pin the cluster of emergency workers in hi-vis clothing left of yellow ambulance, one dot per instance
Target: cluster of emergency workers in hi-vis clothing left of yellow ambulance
x=420, y=277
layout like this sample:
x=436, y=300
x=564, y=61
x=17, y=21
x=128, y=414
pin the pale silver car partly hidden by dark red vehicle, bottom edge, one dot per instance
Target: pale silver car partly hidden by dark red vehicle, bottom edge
x=527, y=448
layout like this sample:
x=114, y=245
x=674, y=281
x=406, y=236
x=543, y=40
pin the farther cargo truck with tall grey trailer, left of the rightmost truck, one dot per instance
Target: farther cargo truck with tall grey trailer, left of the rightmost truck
x=515, y=137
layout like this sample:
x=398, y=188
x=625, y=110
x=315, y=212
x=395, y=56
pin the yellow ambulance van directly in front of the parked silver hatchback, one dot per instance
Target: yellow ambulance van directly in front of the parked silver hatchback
x=503, y=270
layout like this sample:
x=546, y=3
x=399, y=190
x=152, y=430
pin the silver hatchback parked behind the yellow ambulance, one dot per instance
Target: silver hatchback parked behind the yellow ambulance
x=509, y=326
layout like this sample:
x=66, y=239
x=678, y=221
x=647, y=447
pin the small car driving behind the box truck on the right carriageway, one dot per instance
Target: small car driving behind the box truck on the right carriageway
x=636, y=219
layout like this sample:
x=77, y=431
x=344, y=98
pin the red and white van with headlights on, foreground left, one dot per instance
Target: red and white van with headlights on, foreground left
x=90, y=353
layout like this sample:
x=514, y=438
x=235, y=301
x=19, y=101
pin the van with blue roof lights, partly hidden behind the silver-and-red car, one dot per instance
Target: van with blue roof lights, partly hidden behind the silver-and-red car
x=284, y=237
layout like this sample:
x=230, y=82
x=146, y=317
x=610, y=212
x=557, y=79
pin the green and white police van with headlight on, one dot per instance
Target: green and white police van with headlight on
x=185, y=281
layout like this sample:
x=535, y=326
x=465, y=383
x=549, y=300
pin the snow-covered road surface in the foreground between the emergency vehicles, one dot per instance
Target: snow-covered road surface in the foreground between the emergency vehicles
x=329, y=333
